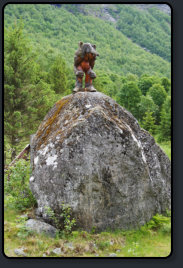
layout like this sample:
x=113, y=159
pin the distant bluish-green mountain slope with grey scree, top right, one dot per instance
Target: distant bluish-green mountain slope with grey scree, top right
x=148, y=27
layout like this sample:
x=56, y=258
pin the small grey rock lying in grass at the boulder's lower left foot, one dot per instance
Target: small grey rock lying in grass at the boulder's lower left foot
x=41, y=227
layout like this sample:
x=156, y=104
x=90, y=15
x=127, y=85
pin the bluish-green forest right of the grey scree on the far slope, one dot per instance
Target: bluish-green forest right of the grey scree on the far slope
x=148, y=28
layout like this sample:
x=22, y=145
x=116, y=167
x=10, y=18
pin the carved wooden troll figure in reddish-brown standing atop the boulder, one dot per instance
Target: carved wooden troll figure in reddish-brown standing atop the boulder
x=84, y=61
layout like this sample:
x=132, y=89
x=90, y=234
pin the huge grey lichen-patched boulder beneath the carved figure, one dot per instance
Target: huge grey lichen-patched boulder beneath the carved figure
x=91, y=154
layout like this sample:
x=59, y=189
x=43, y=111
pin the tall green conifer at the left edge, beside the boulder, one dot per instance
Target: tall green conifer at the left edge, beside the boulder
x=27, y=96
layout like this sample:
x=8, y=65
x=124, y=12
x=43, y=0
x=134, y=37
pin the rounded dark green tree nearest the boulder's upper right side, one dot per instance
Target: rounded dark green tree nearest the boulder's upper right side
x=129, y=97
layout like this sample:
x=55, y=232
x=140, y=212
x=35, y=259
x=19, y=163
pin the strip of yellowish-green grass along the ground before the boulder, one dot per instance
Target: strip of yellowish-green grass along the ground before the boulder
x=144, y=242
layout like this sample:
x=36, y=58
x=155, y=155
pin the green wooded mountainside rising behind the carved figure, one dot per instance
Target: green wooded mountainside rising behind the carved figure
x=122, y=45
